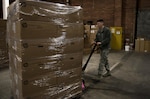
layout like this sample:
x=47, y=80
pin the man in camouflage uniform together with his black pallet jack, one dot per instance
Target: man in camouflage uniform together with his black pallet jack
x=102, y=41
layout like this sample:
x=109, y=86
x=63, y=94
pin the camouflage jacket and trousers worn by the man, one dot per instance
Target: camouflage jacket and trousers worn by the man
x=103, y=36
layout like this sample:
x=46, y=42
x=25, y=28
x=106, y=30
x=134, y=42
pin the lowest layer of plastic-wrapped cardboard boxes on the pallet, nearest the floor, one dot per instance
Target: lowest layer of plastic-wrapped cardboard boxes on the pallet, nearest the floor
x=57, y=92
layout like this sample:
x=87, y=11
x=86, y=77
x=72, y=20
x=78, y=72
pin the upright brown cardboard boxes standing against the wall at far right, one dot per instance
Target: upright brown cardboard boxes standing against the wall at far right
x=142, y=45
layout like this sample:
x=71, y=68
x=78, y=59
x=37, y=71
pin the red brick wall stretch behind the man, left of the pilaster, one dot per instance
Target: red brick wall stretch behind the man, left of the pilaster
x=95, y=9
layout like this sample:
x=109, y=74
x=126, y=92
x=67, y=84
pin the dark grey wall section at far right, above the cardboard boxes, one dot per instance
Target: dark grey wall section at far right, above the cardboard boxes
x=143, y=19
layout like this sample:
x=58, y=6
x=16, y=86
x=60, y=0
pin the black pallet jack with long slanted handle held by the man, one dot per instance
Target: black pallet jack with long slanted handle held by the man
x=85, y=65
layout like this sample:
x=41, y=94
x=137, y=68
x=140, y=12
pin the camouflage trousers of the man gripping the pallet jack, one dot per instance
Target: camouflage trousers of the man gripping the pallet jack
x=103, y=61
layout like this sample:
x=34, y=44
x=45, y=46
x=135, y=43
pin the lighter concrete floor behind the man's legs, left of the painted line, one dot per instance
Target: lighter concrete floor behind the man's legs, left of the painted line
x=114, y=58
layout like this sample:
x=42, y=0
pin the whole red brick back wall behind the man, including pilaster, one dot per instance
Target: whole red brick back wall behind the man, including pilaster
x=114, y=12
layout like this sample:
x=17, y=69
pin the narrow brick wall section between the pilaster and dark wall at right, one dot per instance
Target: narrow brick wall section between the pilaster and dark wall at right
x=129, y=16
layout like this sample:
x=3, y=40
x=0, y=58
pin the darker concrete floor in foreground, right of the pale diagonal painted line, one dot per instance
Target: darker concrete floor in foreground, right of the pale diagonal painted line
x=129, y=80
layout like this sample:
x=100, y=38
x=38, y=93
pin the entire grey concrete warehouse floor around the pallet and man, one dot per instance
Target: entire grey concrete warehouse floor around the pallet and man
x=129, y=80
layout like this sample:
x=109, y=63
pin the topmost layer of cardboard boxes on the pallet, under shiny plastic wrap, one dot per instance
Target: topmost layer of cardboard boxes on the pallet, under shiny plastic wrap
x=46, y=12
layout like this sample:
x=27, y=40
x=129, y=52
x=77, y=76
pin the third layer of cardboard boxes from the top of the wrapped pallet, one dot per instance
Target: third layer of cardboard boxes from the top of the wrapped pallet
x=34, y=49
